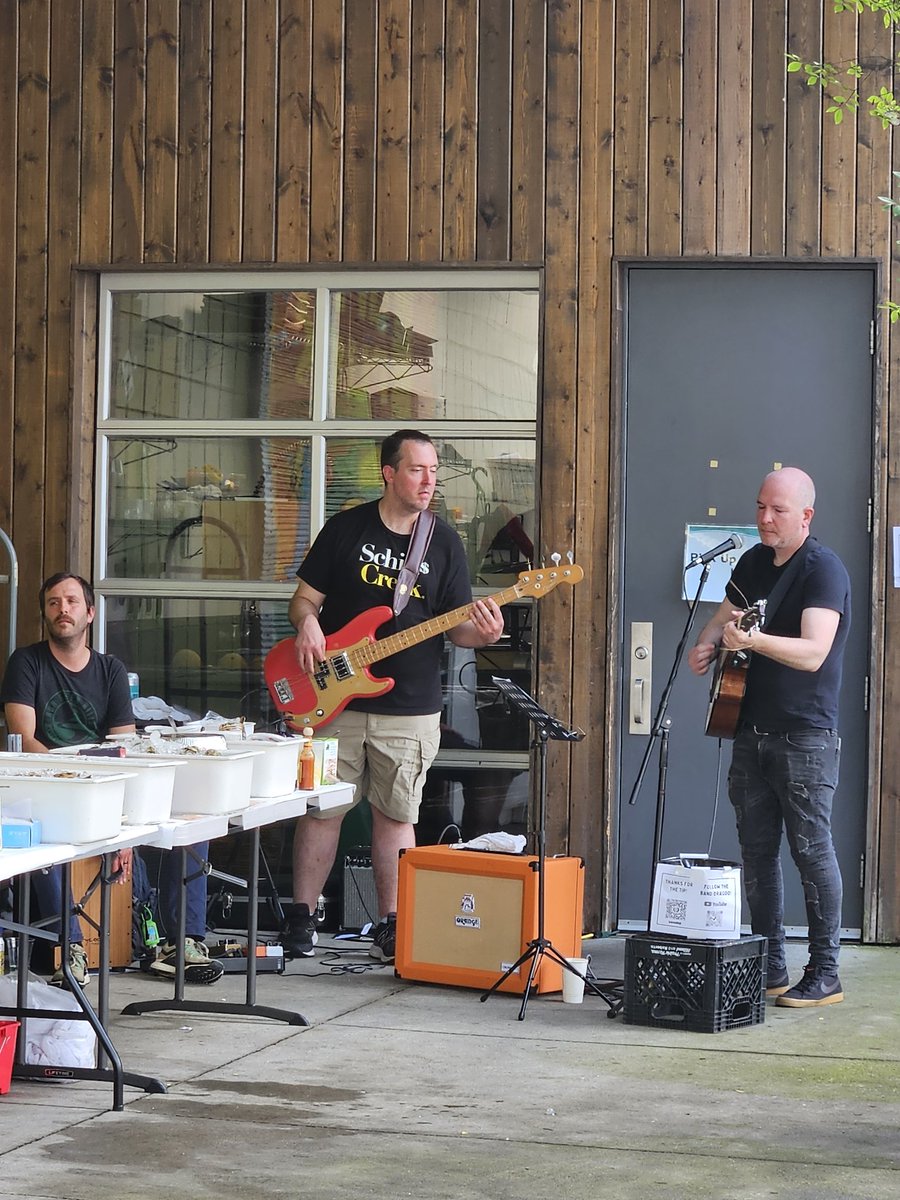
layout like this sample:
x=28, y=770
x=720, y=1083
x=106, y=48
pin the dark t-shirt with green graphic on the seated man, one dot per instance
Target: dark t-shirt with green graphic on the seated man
x=71, y=707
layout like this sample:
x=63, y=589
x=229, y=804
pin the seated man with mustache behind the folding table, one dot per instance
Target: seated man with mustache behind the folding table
x=62, y=693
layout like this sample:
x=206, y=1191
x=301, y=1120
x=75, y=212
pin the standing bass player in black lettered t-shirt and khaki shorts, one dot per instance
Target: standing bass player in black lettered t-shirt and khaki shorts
x=386, y=742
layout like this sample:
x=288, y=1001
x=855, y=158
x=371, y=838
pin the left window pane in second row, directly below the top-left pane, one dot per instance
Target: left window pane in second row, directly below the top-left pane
x=208, y=508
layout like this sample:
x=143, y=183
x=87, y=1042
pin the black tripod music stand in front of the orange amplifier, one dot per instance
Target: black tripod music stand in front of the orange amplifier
x=547, y=728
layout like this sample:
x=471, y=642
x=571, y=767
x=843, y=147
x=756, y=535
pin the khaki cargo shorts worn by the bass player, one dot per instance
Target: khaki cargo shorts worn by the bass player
x=387, y=758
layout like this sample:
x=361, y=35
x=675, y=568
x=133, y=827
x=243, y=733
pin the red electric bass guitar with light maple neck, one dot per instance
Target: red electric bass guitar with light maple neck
x=344, y=674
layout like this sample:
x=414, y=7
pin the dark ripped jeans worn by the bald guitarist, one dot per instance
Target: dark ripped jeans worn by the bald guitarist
x=787, y=782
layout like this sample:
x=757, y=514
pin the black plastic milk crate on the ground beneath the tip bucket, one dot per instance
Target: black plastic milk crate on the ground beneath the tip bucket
x=705, y=987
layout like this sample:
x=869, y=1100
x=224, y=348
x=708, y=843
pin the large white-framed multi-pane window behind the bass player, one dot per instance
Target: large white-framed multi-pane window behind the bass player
x=238, y=413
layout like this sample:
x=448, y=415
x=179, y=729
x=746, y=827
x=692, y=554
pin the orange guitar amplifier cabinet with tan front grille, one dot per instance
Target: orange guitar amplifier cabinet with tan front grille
x=466, y=916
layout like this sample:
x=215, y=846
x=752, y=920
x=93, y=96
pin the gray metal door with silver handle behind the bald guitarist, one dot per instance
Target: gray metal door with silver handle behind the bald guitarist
x=731, y=371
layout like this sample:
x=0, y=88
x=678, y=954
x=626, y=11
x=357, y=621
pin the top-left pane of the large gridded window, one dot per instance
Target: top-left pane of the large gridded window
x=195, y=356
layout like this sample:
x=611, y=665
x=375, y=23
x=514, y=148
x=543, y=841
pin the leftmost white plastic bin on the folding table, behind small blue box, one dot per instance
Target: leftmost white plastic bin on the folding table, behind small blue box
x=70, y=808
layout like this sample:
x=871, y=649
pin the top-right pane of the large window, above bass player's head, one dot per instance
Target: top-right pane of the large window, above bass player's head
x=415, y=357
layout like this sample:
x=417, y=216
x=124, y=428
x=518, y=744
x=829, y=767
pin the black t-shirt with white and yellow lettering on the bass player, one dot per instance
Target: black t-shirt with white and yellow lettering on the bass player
x=355, y=562
